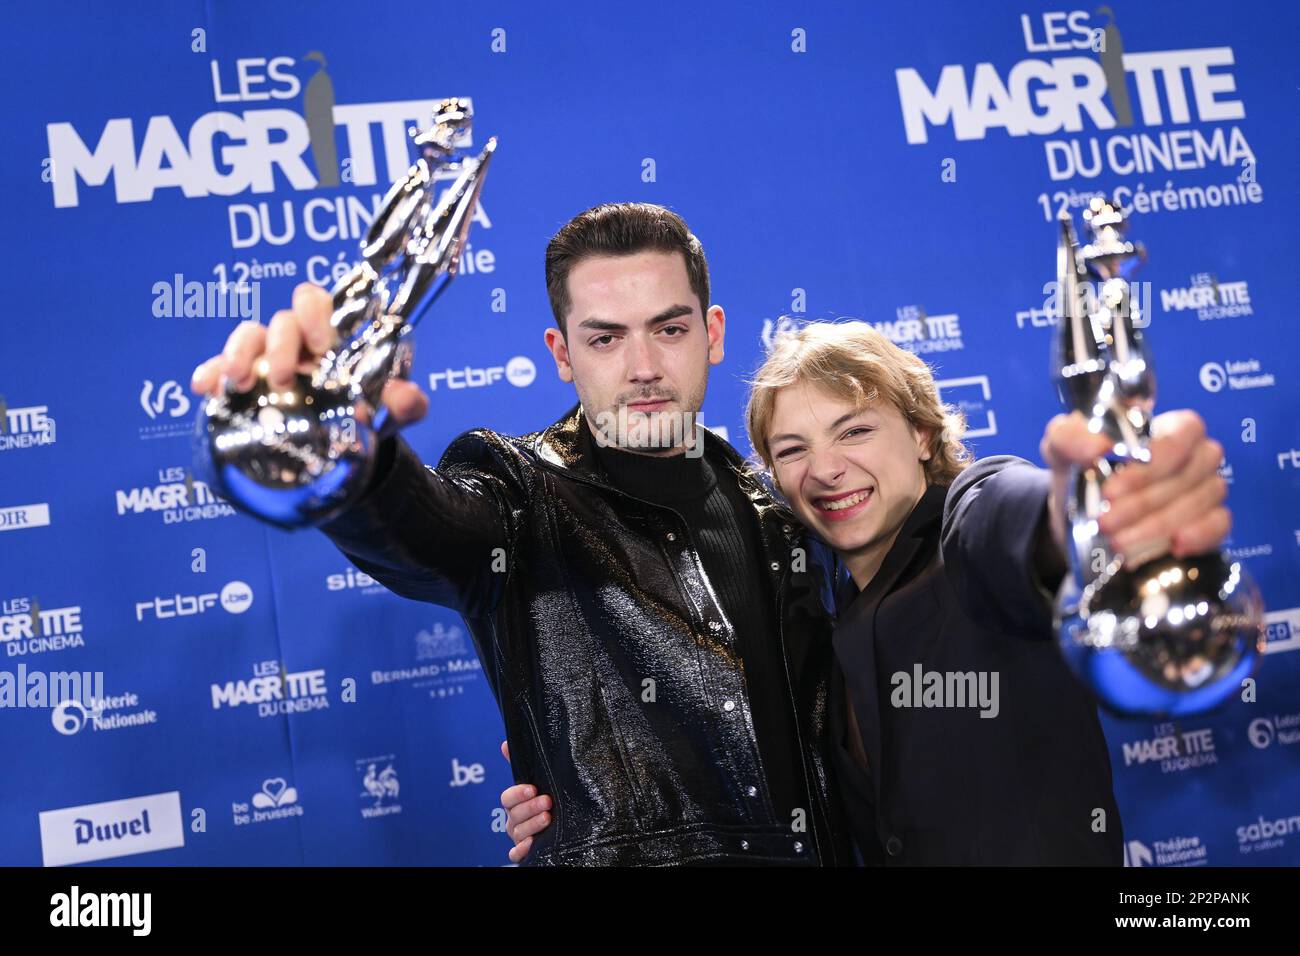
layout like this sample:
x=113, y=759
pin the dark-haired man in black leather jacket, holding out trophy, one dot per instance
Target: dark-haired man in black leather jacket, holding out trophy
x=649, y=622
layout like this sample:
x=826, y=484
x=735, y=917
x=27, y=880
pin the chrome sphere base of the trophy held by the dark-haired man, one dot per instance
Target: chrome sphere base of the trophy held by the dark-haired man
x=294, y=457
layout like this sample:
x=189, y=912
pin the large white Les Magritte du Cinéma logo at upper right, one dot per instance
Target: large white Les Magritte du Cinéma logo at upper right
x=1100, y=109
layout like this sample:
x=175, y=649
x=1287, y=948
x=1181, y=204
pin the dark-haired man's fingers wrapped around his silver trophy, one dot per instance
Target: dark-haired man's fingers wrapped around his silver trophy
x=296, y=341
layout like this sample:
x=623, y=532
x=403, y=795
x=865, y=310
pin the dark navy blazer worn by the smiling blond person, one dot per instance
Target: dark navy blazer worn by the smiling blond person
x=963, y=592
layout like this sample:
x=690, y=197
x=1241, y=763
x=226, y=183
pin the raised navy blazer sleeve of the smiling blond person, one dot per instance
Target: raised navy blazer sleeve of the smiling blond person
x=995, y=518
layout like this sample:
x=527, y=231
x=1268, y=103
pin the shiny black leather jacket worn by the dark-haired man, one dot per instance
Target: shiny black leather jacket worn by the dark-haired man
x=608, y=652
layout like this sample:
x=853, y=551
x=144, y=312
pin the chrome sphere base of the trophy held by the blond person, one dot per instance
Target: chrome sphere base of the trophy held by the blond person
x=1164, y=641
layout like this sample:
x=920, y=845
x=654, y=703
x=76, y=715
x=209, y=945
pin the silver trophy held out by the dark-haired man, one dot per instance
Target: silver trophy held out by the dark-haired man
x=300, y=457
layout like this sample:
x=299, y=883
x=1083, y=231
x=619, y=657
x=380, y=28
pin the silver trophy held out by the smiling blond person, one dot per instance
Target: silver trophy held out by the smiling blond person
x=1154, y=638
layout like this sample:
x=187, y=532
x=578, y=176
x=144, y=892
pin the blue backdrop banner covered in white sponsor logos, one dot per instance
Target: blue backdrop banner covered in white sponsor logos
x=175, y=168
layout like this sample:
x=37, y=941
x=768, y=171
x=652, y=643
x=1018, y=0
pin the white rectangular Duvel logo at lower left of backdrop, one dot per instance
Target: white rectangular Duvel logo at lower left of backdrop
x=112, y=829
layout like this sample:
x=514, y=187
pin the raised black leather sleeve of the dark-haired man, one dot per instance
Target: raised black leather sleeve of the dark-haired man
x=436, y=535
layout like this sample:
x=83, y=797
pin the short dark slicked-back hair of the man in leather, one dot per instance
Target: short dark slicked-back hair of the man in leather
x=619, y=230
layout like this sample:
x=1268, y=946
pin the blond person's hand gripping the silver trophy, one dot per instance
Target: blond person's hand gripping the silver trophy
x=1175, y=504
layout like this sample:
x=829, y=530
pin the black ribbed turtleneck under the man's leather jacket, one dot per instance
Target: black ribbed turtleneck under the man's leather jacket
x=725, y=531
